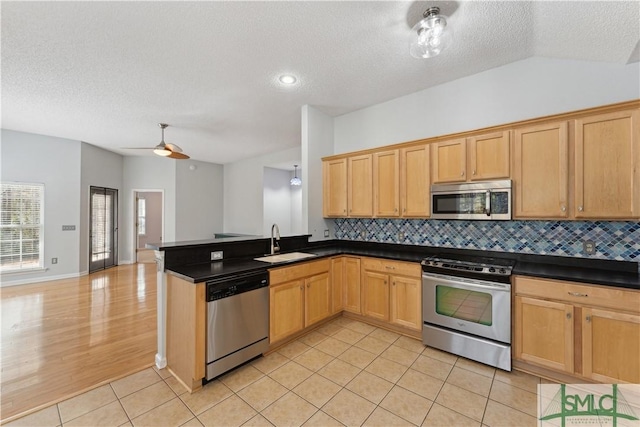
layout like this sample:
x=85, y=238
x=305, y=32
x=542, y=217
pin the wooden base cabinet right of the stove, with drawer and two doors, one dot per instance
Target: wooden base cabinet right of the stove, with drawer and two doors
x=587, y=331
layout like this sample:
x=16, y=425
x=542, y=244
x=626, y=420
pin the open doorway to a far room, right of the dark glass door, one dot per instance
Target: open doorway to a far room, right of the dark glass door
x=148, y=223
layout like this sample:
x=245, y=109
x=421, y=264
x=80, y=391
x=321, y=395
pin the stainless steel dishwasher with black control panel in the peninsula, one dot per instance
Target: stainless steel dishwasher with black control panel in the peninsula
x=237, y=321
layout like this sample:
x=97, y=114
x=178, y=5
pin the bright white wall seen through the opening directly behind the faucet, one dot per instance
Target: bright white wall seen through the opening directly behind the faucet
x=276, y=201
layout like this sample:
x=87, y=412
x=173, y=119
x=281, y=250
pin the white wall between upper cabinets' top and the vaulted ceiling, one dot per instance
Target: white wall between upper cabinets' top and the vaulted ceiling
x=525, y=89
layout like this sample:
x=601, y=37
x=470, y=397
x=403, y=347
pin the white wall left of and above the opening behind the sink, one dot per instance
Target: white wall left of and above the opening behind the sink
x=243, y=191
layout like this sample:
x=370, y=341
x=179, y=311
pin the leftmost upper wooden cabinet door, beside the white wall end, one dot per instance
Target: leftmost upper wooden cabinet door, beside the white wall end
x=334, y=187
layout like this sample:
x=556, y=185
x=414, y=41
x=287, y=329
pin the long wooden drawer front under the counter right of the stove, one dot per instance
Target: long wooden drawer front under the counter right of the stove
x=591, y=295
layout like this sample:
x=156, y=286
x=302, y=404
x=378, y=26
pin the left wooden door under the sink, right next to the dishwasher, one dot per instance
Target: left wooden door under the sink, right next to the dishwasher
x=286, y=310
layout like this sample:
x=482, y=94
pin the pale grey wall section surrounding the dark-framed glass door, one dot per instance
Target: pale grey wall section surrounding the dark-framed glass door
x=99, y=168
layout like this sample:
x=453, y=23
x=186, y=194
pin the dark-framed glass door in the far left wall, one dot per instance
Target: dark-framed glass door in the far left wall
x=103, y=228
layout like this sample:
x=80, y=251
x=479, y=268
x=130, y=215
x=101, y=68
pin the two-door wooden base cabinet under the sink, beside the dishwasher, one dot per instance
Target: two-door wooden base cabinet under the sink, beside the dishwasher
x=300, y=296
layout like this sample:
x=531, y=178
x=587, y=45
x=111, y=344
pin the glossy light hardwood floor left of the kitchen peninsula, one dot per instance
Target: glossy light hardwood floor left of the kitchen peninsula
x=63, y=337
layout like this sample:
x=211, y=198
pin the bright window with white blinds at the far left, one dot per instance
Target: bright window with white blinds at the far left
x=21, y=226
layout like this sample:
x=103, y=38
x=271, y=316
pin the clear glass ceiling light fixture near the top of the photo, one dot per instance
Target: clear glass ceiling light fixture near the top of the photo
x=431, y=35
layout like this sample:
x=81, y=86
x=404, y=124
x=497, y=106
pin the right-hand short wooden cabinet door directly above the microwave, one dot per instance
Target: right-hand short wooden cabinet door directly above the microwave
x=489, y=156
